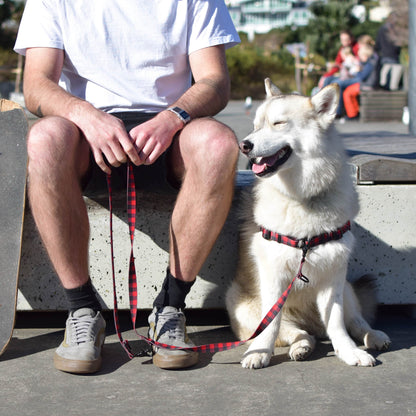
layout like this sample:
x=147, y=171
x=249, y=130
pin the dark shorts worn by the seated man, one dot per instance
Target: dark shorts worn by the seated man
x=153, y=177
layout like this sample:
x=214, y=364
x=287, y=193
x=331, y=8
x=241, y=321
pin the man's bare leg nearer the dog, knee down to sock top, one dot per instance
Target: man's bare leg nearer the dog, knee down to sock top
x=205, y=154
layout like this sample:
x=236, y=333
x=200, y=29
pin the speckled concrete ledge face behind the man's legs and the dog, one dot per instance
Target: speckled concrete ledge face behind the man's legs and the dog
x=385, y=246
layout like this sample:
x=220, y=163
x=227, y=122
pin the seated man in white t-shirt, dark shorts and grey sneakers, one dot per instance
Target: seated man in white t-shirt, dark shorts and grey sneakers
x=111, y=82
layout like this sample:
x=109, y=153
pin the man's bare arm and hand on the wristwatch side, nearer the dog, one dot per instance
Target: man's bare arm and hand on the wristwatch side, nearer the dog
x=206, y=97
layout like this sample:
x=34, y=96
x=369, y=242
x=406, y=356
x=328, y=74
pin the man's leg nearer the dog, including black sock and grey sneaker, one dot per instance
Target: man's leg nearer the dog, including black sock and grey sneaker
x=204, y=156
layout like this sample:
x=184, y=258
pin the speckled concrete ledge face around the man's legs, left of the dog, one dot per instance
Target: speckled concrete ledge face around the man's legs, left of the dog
x=39, y=286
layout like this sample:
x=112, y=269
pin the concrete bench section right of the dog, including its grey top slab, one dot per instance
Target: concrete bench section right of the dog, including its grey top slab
x=384, y=228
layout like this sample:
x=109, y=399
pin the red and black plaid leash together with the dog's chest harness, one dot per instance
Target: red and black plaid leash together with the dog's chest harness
x=213, y=347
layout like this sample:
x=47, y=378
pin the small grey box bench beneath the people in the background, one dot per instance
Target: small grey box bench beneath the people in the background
x=380, y=105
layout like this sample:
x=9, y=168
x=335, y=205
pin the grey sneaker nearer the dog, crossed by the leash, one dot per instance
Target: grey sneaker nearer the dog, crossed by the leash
x=167, y=325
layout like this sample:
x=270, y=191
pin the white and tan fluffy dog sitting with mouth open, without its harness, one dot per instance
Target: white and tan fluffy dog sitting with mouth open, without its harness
x=301, y=191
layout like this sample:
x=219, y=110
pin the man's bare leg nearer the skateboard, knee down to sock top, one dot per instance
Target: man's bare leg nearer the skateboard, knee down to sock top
x=58, y=158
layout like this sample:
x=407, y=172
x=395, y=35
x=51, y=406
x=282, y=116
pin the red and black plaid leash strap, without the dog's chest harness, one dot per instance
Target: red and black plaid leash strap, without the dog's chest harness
x=211, y=348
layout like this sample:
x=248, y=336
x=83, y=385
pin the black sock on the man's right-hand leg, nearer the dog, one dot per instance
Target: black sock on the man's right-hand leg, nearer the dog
x=173, y=292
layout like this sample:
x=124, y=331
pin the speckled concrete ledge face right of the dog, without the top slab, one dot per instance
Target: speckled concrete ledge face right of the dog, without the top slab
x=385, y=241
